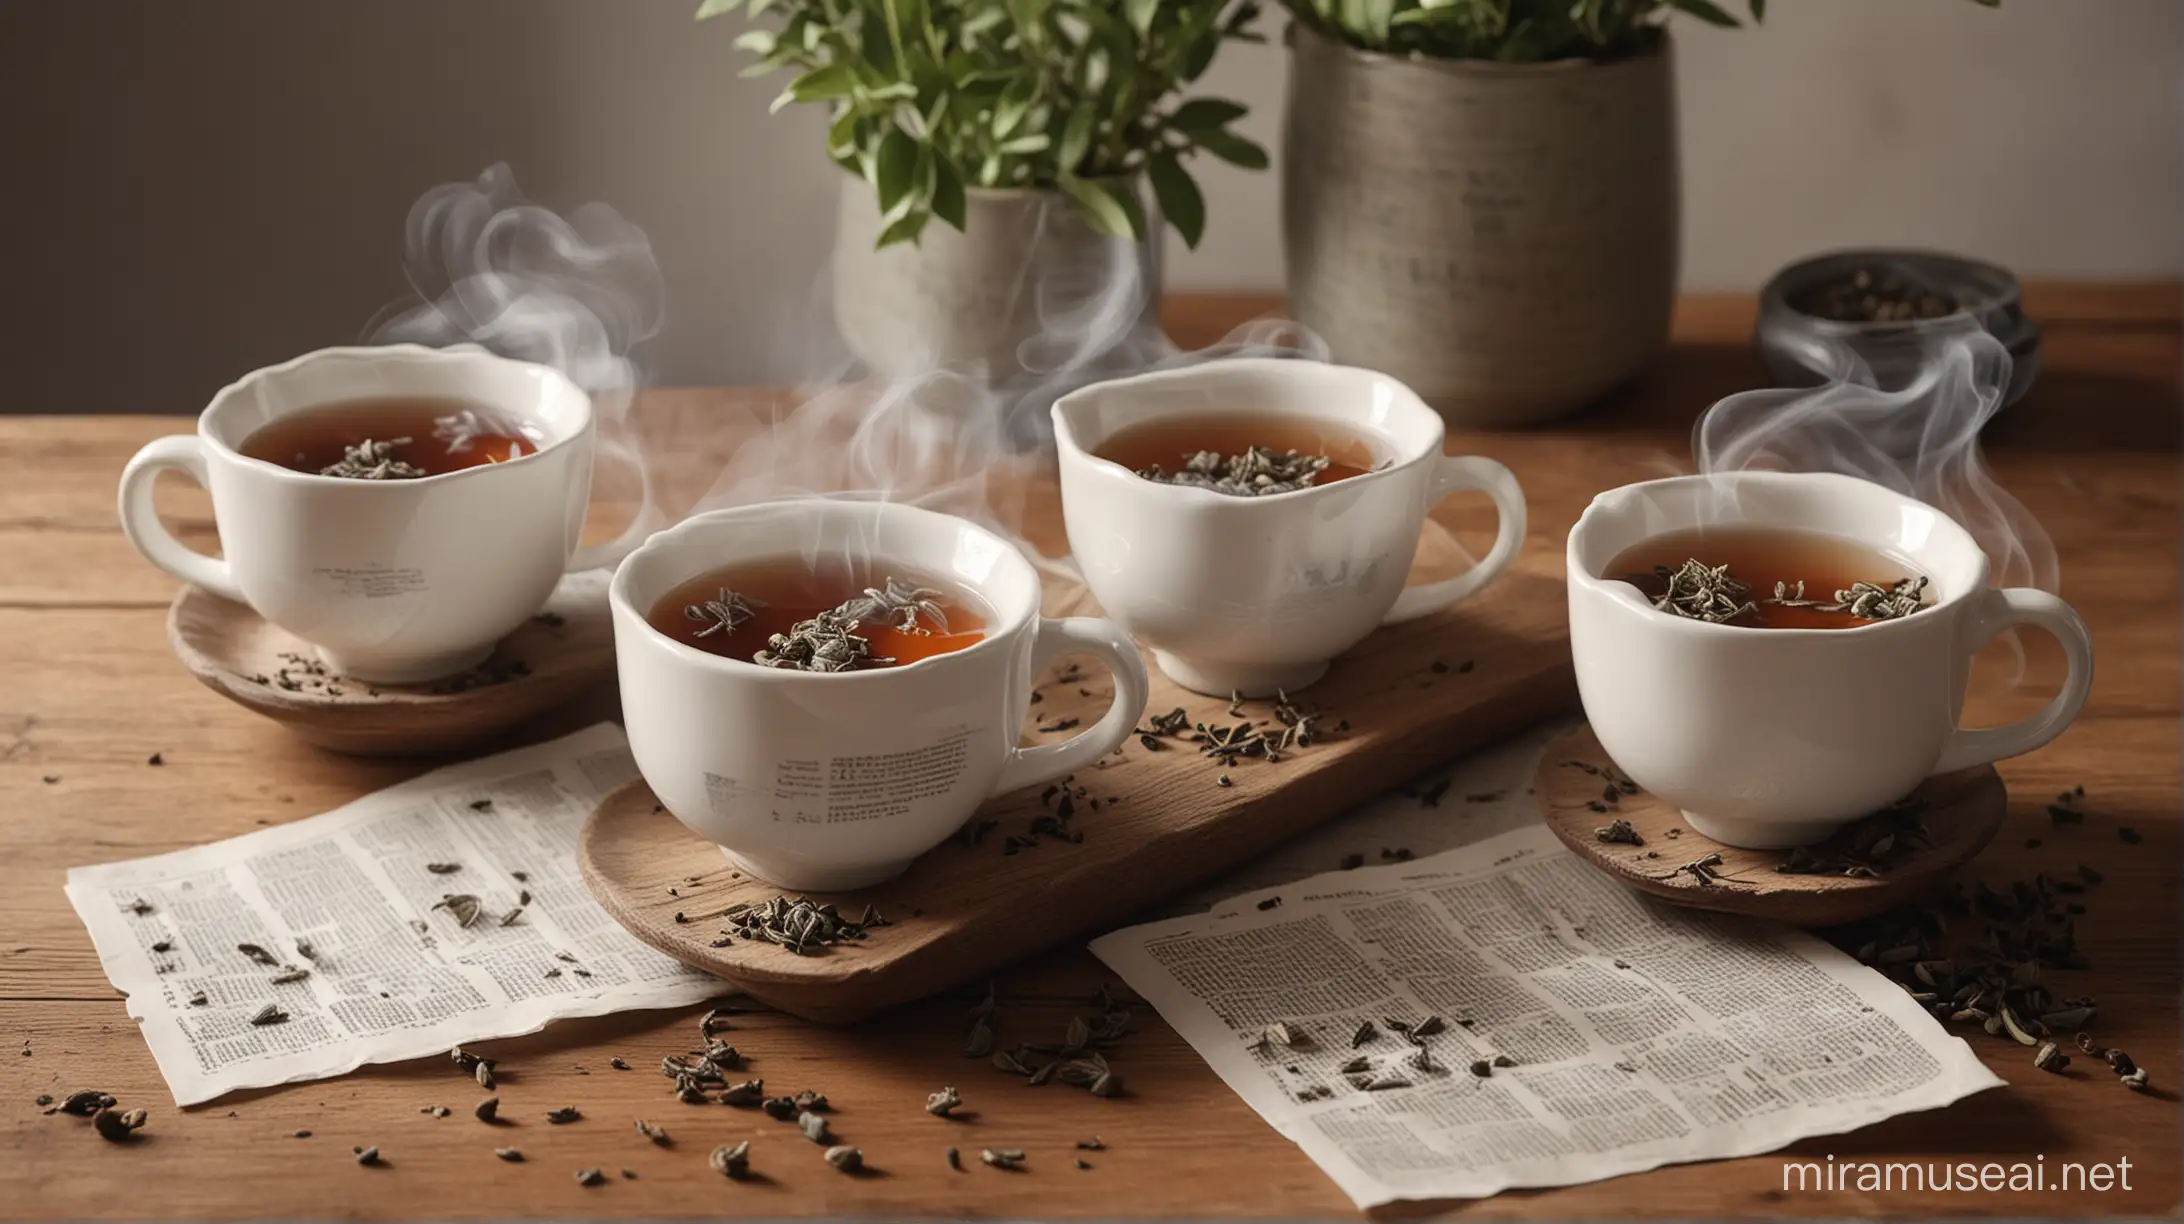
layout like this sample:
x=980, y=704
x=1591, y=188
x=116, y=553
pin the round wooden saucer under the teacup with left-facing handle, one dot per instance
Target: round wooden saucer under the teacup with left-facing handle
x=549, y=661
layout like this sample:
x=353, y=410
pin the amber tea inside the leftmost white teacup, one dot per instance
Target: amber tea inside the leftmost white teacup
x=444, y=436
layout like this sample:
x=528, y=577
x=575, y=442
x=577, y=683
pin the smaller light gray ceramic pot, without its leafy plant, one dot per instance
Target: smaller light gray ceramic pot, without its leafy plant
x=1023, y=290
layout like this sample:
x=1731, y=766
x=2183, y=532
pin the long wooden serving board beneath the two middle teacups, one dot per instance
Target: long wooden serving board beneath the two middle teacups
x=1152, y=821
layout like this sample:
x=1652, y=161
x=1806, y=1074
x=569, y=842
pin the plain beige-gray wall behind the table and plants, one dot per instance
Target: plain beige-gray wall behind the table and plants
x=193, y=189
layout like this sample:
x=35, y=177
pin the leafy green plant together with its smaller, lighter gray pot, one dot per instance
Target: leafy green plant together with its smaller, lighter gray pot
x=1047, y=139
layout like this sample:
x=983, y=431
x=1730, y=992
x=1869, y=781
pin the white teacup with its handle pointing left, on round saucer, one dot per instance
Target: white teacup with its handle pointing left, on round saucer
x=390, y=580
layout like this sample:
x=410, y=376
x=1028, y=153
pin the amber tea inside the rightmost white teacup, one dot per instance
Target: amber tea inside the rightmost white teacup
x=1761, y=558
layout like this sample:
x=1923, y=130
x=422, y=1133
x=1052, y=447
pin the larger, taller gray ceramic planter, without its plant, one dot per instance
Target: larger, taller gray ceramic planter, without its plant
x=1499, y=237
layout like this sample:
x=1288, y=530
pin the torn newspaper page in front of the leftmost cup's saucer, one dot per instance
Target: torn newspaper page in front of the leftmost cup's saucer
x=355, y=941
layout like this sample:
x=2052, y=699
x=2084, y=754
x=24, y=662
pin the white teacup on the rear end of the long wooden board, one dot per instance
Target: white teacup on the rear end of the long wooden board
x=1250, y=596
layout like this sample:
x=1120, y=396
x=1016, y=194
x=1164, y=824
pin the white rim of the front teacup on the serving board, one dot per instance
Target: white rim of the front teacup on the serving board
x=993, y=642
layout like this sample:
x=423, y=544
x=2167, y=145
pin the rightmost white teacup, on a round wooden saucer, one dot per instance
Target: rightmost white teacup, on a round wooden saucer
x=1779, y=738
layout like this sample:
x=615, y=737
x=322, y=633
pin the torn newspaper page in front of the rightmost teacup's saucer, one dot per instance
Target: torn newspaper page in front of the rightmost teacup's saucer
x=1532, y=1024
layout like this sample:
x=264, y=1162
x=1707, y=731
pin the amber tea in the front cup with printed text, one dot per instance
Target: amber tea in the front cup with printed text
x=792, y=591
